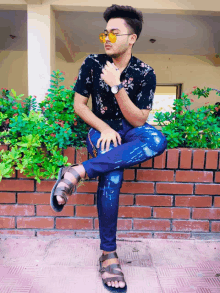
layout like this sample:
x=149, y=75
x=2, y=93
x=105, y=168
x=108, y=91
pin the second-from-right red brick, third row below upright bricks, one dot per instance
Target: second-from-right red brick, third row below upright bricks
x=193, y=201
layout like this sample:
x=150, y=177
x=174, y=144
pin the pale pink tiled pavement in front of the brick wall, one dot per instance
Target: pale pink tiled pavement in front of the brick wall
x=46, y=265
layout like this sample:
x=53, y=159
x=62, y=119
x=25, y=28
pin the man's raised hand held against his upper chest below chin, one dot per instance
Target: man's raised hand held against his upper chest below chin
x=110, y=75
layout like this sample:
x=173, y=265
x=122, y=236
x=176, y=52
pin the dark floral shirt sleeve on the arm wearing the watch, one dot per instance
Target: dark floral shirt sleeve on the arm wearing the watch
x=145, y=96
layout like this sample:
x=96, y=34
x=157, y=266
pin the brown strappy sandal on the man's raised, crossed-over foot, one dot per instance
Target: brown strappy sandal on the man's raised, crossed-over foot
x=63, y=190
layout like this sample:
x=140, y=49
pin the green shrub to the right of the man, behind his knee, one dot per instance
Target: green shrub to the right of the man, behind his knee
x=190, y=128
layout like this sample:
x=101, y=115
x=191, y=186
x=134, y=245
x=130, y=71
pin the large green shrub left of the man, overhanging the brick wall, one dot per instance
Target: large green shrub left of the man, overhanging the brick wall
x=36, y=133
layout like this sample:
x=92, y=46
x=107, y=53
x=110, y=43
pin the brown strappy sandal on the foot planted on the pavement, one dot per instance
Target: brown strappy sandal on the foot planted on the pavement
x=112, y=269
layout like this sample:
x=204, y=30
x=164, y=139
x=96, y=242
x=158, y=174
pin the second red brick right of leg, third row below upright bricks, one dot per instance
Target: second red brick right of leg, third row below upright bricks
x=154, y=200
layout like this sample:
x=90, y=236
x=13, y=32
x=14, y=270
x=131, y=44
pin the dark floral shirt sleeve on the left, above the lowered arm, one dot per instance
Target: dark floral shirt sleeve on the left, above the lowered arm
x=84, y=83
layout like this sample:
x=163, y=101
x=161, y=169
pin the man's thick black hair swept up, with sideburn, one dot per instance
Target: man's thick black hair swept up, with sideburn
x=132, y=17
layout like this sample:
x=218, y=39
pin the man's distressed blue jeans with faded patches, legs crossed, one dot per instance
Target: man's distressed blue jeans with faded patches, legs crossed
x=138, y=144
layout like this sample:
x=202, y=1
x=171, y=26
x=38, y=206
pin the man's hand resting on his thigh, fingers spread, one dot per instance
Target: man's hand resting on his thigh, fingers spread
x=106, y=136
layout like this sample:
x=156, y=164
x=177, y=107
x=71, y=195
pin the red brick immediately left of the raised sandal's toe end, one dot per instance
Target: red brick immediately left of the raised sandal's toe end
x=34, y=198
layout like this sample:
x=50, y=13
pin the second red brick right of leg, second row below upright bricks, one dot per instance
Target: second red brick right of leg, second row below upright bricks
x=174, y=188
